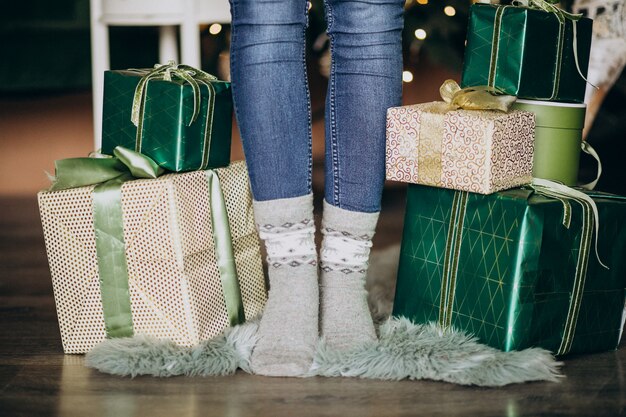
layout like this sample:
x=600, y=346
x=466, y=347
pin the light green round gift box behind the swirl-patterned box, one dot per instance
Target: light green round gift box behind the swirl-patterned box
x=558, y=136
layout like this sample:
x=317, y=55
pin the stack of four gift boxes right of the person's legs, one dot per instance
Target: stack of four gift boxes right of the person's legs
x=489, y=246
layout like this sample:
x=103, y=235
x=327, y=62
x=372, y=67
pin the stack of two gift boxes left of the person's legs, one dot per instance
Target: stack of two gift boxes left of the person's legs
x=155, y=235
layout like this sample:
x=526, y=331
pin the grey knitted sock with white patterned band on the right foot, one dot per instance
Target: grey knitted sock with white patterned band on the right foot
x=345, y=317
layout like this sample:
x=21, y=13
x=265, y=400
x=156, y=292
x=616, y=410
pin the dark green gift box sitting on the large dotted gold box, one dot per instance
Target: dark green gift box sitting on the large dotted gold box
x=167, y=130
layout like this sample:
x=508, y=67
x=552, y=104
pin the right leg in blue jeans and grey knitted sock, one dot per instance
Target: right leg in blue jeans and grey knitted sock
x=365, y=80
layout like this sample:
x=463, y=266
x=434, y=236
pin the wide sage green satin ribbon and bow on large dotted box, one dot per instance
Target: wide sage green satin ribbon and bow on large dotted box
x=108, y=174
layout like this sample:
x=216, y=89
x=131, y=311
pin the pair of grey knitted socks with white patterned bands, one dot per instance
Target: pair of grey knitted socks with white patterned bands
x=299, y=307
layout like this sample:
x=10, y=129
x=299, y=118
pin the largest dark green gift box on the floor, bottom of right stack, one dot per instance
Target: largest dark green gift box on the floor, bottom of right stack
x=504, y=268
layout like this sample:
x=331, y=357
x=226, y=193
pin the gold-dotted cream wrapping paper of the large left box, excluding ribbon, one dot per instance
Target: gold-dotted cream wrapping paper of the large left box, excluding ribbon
x=174, y=279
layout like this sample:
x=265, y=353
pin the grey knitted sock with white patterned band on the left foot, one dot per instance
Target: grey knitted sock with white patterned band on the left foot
x=288, y=331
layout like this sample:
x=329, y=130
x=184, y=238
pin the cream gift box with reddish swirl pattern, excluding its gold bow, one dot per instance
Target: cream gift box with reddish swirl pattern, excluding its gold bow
x=481, y=151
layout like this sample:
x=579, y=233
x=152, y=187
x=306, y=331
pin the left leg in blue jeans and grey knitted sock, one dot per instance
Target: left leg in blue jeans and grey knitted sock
x=272, y=107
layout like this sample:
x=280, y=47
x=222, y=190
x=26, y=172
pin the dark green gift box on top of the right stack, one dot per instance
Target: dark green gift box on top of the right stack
x=527, y=53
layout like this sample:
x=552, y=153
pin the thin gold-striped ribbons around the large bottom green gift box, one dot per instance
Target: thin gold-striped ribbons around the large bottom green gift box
x=549, y=189
